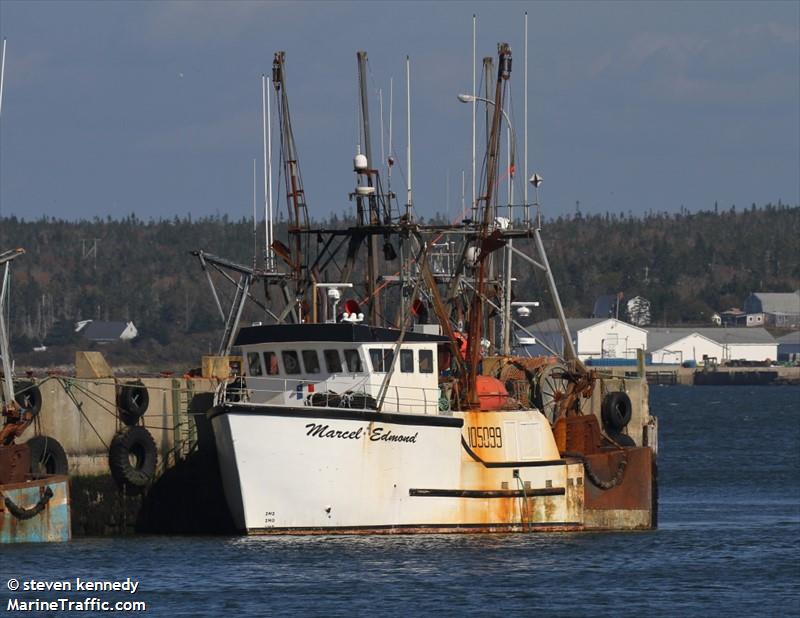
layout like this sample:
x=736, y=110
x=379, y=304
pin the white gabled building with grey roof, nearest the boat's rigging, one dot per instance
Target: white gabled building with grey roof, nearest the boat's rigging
x=592, y=338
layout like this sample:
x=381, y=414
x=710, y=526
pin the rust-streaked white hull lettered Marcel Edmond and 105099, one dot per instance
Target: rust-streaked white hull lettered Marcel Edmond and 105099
x=325, y=470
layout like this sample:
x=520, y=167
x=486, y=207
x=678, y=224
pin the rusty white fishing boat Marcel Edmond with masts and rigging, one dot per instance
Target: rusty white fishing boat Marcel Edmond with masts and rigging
x=380, y=398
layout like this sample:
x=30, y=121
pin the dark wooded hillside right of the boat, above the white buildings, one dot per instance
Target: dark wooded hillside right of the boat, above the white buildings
x=688, y=265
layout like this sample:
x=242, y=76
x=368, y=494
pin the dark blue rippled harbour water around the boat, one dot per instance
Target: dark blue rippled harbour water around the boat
x=728, y=544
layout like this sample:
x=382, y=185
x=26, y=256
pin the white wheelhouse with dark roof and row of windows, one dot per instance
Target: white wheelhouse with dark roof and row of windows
x=342, y=364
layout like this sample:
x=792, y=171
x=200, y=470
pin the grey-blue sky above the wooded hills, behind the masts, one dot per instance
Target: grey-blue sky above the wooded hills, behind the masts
x=154, y=107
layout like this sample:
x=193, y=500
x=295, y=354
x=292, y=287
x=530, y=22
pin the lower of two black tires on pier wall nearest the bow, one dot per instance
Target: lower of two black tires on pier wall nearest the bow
x=132, y=458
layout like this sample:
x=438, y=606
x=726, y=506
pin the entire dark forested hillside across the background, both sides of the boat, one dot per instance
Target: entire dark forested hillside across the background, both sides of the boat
x=688, y=265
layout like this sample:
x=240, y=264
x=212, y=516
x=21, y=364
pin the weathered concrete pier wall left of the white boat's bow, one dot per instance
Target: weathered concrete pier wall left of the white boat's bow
x=186, y=494
